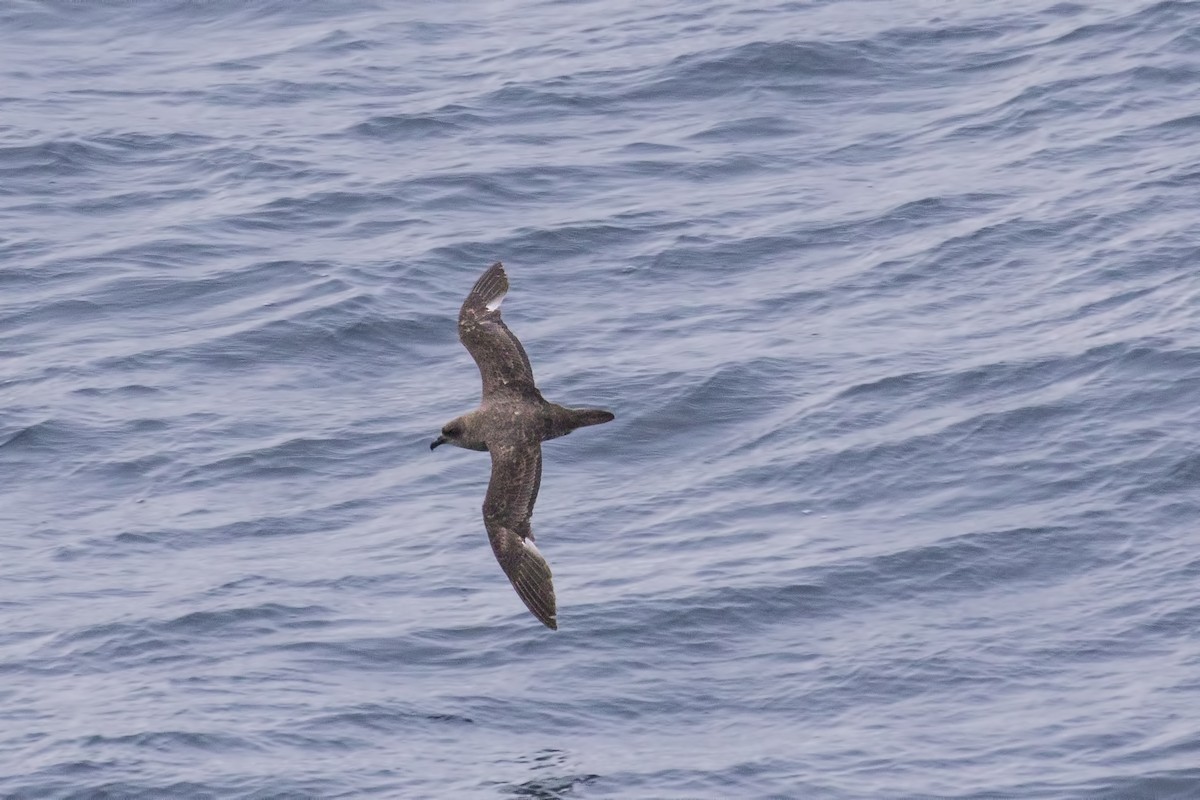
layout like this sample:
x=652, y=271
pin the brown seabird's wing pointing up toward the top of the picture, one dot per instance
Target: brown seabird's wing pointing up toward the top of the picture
x=502, y=362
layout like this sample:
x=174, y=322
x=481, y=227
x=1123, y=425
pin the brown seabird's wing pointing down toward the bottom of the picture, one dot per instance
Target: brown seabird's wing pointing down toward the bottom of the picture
x=517, y=476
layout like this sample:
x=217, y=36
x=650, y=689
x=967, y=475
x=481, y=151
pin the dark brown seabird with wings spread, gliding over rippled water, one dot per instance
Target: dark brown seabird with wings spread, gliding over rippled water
x=512, y=423
